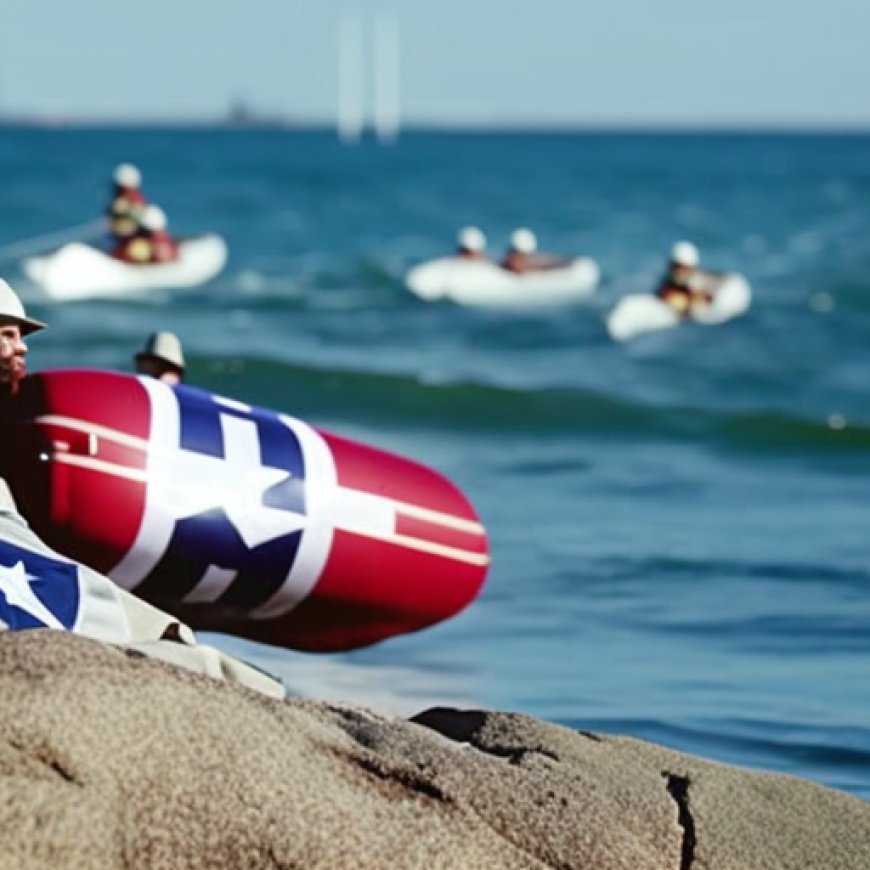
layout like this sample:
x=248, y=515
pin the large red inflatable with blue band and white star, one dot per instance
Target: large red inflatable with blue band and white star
x=239, y=519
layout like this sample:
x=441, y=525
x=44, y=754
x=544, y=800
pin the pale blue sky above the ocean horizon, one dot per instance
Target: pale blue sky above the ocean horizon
x=764, y=63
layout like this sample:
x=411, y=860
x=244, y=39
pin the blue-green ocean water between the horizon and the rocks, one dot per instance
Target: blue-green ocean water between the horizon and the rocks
x=680, y=525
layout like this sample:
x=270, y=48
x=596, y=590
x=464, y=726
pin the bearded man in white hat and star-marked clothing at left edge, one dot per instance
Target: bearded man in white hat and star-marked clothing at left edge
x=40, y=588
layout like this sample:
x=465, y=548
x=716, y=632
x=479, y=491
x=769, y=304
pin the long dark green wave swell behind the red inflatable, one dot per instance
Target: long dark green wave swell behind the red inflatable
x=412, y=400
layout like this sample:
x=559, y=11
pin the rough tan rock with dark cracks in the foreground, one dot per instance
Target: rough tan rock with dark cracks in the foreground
x=113, y=760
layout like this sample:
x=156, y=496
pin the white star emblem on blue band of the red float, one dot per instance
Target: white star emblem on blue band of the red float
x=194, y=483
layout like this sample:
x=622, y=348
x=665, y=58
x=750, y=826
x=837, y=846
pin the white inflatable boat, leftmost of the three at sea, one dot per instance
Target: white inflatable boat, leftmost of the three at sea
x=80, y=271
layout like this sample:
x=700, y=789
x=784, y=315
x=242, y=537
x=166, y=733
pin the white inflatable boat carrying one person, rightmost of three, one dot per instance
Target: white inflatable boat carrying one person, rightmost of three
x=645, y=312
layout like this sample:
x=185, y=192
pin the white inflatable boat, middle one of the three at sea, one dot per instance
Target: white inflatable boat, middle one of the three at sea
x=484, y=283
